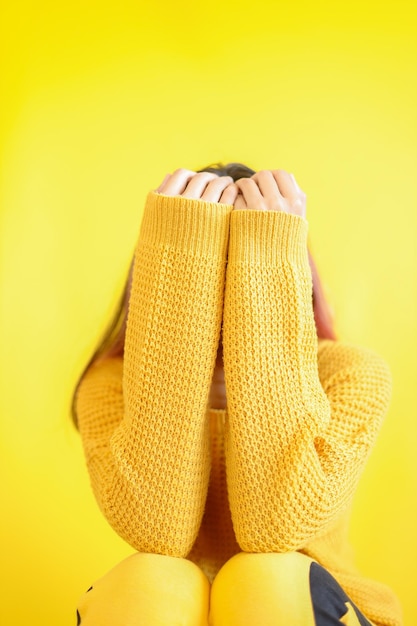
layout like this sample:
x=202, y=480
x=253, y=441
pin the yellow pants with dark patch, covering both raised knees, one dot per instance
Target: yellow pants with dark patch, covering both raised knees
x=249, y=590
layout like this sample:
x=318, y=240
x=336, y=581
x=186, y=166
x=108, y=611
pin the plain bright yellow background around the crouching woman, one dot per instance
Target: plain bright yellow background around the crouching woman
x=99, y=101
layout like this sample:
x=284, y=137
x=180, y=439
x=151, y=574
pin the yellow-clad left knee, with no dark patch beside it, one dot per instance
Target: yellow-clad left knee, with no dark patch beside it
x=147, y=589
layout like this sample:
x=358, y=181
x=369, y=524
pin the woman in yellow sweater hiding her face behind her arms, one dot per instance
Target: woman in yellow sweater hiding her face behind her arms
x=237, y=503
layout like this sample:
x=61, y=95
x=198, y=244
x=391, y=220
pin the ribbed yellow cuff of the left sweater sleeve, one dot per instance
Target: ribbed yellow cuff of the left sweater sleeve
x=192, y=225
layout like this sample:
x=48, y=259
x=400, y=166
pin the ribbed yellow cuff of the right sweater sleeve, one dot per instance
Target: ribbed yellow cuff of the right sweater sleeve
x=267, y=237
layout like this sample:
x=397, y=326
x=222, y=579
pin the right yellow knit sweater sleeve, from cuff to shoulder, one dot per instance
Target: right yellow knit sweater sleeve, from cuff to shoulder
x=302, y=418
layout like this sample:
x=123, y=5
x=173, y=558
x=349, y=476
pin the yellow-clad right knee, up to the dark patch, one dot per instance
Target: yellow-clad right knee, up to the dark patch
x=262, y=589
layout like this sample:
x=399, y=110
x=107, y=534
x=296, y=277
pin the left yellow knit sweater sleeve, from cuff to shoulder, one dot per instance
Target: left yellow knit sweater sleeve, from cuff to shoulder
x=142, y=419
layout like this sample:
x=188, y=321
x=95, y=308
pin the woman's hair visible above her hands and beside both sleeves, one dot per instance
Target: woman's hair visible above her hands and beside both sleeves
x=112, y=342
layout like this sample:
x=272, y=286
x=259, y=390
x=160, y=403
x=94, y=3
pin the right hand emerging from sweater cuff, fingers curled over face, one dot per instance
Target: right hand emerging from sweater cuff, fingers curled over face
x=271, y=190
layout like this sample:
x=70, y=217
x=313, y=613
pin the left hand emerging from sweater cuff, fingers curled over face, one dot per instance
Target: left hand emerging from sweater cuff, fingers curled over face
x=200, y=186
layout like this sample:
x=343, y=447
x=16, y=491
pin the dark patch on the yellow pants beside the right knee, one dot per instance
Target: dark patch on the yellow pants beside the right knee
x=329, y=599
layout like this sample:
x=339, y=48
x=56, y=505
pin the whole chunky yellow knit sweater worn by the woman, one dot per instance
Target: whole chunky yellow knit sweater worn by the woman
x=276, y=471
